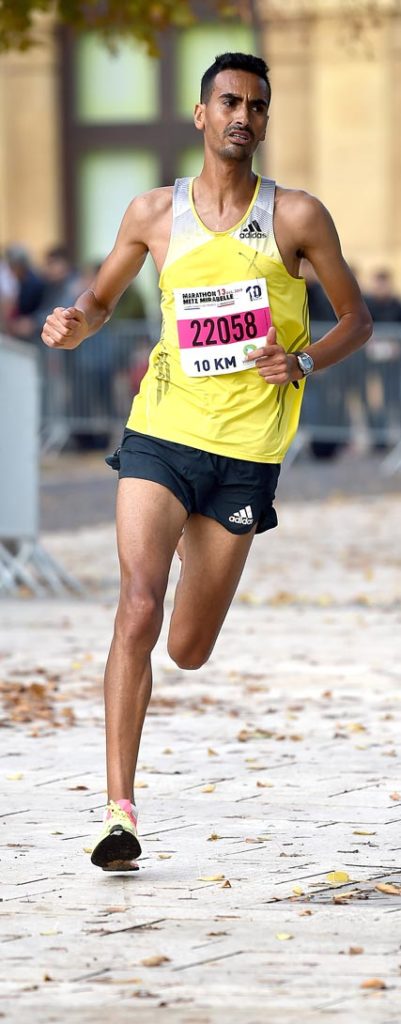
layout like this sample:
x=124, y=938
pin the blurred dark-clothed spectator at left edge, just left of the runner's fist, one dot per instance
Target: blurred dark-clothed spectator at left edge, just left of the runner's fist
x=30, y=289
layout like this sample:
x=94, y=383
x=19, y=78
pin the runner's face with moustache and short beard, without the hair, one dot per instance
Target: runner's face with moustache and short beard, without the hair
x=235, y=119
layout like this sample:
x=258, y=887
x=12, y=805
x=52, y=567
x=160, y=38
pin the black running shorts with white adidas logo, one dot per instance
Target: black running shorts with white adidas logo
x=237, y=493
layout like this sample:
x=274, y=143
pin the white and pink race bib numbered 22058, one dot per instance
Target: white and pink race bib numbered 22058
x=219, y=326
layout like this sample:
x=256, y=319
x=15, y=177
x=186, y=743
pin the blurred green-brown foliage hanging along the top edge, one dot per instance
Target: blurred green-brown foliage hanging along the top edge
x=114, y=20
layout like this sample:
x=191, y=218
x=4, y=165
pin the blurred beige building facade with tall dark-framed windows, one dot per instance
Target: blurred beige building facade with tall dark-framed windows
x=82, y=132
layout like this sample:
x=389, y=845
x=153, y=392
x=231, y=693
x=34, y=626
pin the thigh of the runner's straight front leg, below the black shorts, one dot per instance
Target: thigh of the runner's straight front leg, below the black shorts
x=150, y=522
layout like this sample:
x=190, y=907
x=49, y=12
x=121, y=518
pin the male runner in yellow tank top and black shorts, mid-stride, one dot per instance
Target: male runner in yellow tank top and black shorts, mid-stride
x=220, y=403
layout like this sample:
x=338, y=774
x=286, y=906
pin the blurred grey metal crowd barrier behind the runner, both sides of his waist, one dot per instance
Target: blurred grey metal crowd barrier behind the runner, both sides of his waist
x=86, y=394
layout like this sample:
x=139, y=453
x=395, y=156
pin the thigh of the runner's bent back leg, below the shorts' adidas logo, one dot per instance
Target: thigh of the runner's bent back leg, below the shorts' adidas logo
x=213, y=561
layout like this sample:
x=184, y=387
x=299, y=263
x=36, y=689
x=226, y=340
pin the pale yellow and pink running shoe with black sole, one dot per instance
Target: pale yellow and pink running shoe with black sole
x=118, y=845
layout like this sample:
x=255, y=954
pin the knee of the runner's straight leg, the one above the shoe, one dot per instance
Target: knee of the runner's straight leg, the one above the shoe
x=140, y=616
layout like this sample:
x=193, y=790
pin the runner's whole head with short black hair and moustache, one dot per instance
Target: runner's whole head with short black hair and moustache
x=235, y=101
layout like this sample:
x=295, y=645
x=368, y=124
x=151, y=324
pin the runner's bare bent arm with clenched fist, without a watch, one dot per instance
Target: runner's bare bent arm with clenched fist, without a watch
x=68, y=328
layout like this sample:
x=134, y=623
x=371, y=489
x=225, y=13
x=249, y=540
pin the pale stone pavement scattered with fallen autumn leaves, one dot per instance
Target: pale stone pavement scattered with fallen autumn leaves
x=272, y=769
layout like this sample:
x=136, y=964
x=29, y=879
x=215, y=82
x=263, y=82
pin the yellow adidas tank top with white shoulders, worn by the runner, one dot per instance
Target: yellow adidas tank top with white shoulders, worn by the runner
x=220, y=292
